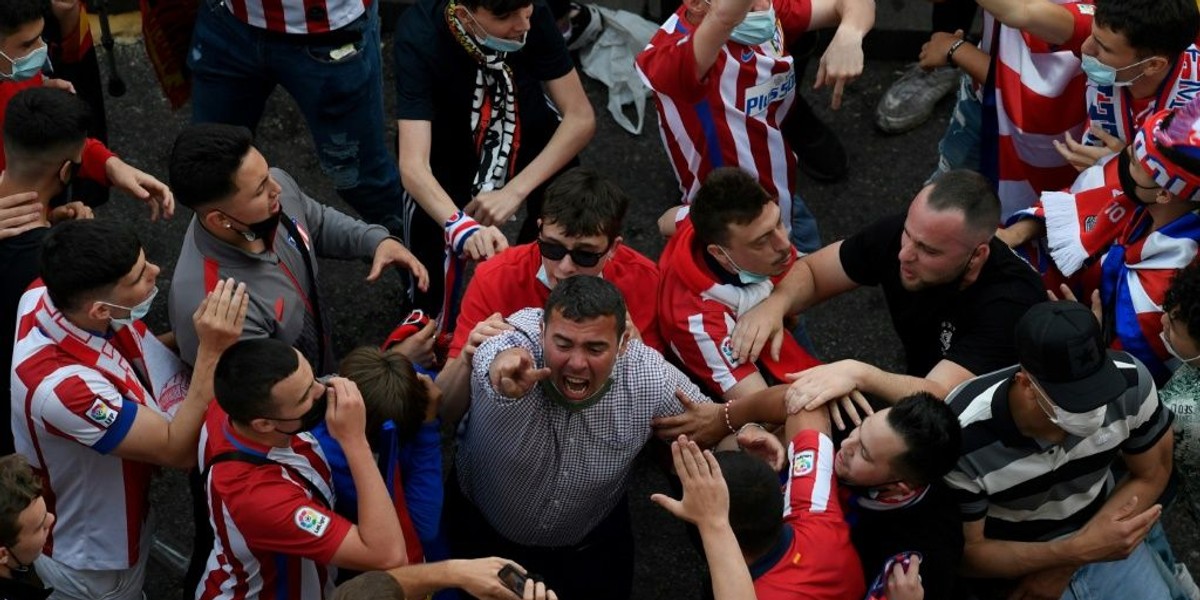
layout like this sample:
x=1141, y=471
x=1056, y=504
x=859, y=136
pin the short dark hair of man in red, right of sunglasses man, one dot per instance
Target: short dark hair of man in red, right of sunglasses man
x=730, y=196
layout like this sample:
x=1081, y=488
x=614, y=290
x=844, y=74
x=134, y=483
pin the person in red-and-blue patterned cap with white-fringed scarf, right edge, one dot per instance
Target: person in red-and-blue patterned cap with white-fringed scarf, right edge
x=1124, y=231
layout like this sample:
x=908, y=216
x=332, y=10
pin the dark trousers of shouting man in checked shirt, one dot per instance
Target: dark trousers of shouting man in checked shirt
x=599, y=568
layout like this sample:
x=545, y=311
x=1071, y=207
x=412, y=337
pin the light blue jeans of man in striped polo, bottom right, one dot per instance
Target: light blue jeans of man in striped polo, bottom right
x=1137, y=577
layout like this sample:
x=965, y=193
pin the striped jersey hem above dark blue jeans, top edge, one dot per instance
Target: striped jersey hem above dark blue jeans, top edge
x=298, y=16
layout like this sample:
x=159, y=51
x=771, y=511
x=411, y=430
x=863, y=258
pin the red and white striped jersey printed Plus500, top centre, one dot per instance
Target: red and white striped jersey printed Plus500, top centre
x=733, y=117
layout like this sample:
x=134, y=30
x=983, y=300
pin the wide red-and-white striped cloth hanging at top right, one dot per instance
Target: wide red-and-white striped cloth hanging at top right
x=1041, y=97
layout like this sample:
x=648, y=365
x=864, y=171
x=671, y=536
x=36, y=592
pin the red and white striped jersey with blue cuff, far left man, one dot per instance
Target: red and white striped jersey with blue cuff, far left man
x=75, y=398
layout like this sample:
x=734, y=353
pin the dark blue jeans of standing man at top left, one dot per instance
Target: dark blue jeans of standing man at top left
x=237, y=67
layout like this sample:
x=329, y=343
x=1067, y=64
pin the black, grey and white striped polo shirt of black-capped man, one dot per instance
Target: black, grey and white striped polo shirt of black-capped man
x=1035, y=491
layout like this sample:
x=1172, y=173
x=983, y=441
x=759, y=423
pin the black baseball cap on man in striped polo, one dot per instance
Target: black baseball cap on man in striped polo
x=1060, y=345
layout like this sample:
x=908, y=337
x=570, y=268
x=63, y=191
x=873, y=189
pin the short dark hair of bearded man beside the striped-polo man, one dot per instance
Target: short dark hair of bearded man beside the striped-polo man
x=932, y=435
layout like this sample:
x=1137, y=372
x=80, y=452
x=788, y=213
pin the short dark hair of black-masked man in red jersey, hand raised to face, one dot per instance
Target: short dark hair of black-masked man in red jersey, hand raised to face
x=248, y=371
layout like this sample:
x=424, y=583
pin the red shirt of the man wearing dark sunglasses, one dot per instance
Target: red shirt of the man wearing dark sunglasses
x=508, y=283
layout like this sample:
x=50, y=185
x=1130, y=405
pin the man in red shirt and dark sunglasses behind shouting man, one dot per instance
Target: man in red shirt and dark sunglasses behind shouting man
x=579, y=235
